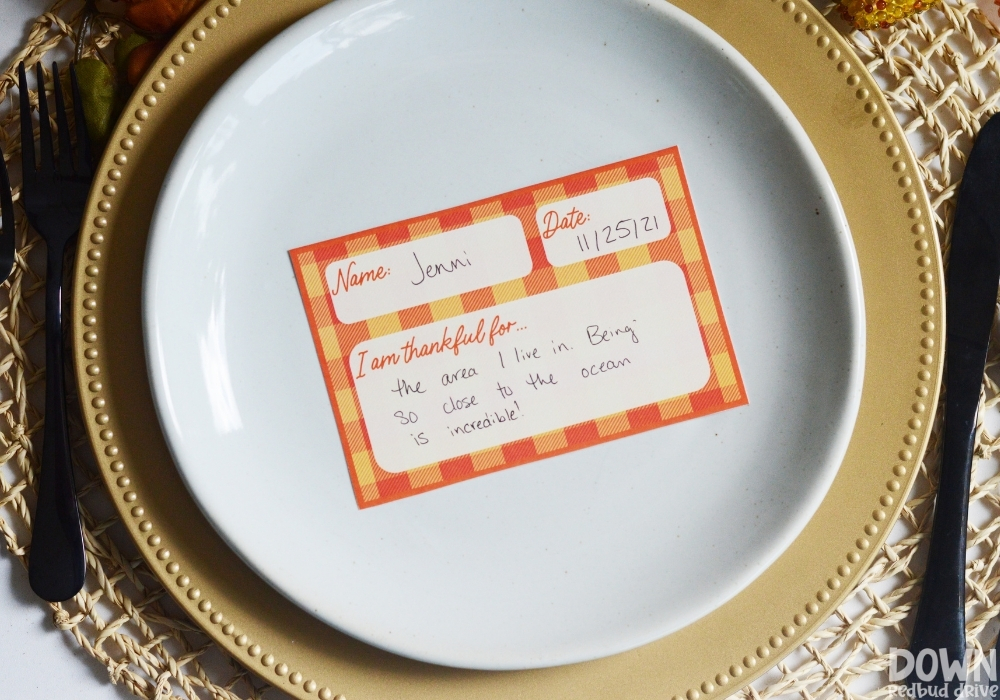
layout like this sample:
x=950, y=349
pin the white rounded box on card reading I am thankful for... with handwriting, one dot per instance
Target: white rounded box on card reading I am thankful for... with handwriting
x=526, y=367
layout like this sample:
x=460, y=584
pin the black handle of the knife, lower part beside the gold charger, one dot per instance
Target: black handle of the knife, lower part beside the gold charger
x=940, y=621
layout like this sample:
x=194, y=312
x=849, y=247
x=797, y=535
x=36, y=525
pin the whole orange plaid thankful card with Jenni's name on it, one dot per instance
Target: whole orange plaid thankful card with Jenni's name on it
x=522, y=326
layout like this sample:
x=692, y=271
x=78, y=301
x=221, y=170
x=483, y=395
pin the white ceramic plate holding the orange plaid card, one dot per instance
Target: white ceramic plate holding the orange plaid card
x=366, y=113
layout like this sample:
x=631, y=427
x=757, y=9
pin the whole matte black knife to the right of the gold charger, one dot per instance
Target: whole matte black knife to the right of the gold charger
x=973, y=275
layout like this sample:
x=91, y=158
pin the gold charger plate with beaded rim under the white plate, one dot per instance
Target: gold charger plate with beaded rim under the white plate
x=865, y=152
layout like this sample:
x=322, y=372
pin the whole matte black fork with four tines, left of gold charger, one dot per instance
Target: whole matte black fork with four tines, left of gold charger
x=54, y=194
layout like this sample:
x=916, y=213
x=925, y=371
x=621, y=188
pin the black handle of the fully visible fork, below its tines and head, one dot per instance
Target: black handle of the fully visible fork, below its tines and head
x=57, y=563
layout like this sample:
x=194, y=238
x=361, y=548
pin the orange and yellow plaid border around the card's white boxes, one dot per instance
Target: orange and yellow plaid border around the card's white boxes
x=335, y=340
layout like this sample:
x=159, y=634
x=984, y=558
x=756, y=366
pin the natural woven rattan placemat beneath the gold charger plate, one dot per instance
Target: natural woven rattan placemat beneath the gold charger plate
x=940, y=73
